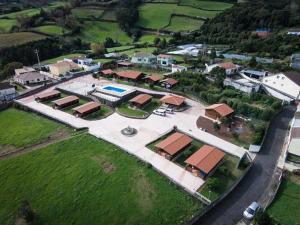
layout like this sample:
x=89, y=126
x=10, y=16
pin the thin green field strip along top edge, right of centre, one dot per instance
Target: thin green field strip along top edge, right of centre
x=207, y=5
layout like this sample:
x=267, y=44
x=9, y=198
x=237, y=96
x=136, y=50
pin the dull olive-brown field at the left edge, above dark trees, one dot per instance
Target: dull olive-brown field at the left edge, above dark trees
x=11, y=39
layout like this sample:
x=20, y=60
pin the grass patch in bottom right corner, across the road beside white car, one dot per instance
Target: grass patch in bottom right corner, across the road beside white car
x=285, y=207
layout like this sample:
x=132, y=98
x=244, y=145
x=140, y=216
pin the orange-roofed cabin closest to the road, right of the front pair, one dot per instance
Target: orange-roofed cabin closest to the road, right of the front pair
x=204, y=161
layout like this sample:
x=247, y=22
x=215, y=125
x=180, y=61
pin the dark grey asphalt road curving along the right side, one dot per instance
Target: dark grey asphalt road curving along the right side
x=229, y=211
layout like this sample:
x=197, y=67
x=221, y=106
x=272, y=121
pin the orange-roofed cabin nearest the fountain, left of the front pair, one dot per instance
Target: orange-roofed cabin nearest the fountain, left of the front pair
x=173, y=145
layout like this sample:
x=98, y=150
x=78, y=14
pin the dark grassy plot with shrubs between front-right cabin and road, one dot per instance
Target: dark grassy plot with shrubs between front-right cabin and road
x=226, y=180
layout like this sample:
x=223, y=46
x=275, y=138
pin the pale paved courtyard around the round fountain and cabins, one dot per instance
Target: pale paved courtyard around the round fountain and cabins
x=148, y=129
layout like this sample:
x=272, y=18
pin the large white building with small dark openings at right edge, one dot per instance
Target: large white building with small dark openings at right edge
x=284, y=86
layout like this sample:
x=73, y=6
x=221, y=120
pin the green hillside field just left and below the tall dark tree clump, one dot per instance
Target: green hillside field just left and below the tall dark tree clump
x=99, y=31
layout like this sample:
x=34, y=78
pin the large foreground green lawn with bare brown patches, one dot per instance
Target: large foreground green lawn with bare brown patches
x=85, y=180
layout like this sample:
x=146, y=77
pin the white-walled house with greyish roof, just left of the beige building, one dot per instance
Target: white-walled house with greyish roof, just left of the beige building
x=28, y=78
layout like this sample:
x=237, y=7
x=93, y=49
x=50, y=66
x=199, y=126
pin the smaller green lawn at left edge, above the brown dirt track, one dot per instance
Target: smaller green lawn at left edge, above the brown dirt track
x=21, y=129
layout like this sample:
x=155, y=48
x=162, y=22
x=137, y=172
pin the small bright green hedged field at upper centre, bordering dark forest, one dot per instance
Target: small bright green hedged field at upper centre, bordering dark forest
x=179, y=23
